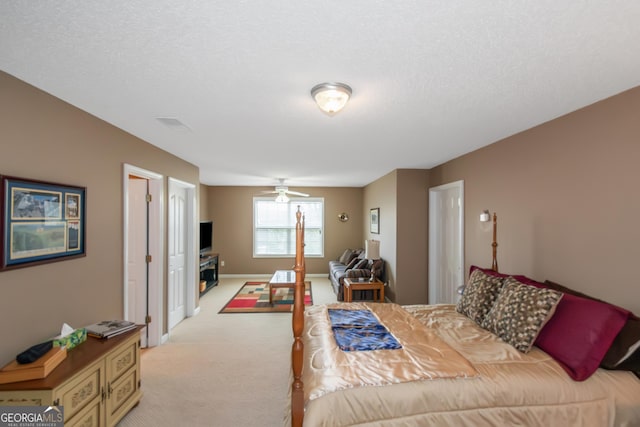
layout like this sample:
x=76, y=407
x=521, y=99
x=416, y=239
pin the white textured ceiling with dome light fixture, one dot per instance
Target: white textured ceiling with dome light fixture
x=431, y=80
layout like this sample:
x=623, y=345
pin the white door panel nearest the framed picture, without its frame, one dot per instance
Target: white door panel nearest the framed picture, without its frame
x=137, y=295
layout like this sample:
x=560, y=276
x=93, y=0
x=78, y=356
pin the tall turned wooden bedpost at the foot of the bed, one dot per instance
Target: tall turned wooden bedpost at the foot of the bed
x=297, y=350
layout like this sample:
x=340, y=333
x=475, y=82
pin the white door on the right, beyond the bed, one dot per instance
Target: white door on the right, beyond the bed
x=446, y=242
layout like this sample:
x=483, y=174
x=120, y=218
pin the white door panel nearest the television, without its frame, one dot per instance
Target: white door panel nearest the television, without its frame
x=177, y=279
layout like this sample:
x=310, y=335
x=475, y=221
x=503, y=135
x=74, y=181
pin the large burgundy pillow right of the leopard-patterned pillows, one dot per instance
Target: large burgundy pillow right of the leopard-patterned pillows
x=580, y=333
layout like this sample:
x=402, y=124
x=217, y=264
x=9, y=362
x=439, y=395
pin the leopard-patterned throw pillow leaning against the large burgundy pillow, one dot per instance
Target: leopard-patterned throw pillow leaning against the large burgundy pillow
x=520, y=312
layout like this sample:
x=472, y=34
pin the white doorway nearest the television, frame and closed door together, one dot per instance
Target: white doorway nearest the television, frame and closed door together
x=181, y=280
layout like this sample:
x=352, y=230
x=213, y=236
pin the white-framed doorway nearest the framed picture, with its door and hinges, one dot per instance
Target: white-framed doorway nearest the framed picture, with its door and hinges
x=143, y=248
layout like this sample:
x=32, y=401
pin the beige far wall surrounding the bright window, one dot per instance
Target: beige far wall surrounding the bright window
x=231, y=209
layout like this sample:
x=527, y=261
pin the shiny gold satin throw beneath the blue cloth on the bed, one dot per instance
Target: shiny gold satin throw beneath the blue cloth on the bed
x=423, y=354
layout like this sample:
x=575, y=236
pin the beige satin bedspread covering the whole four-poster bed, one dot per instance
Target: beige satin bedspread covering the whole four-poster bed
x=510, y=388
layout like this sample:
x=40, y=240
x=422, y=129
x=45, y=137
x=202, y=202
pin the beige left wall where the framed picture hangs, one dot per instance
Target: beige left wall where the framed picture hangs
x=44, y=138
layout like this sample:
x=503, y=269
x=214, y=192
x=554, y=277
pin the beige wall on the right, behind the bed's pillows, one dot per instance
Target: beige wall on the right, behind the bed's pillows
x=566, y=195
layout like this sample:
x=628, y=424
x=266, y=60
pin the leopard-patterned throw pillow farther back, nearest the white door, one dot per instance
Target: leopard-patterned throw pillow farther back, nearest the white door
x=479, y=295
